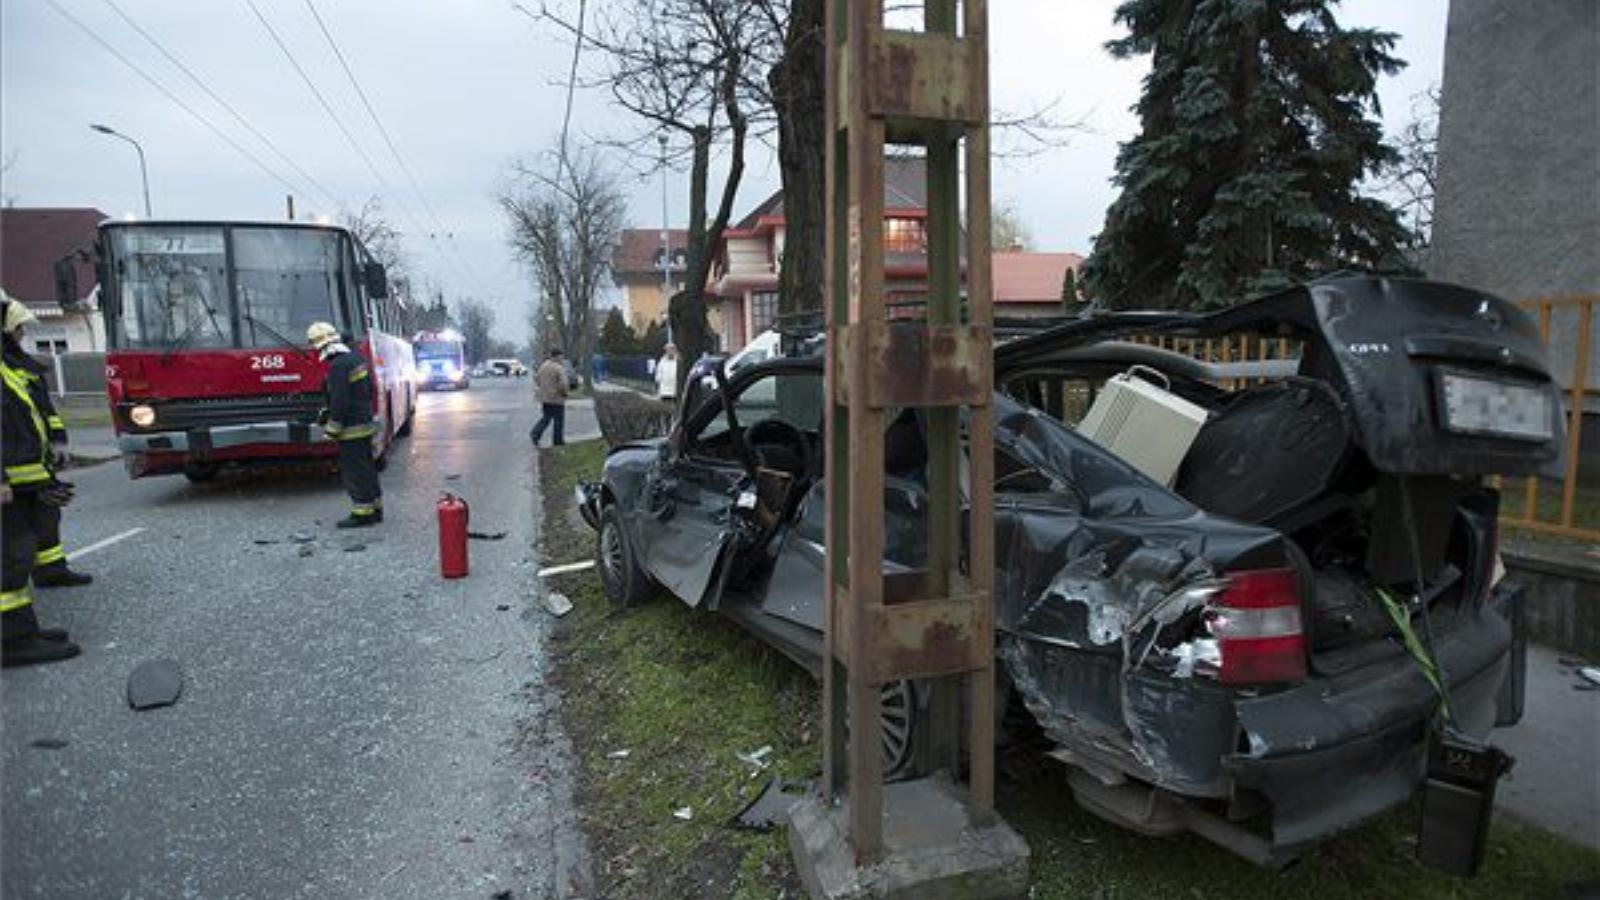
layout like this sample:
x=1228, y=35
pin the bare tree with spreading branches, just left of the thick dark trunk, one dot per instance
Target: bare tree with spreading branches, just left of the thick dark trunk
x=694, y=71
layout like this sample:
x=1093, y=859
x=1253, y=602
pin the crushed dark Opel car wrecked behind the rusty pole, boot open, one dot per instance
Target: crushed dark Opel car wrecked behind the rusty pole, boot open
x=1225, y=654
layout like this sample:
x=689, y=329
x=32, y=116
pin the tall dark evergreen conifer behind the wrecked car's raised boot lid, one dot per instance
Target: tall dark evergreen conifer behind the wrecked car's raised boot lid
x=1258, y=124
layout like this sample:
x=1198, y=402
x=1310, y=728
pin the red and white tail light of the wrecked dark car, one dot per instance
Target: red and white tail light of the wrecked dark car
x=1257, y=622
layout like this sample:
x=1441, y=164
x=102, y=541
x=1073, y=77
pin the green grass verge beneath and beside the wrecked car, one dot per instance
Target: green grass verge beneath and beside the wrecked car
x=684, y=693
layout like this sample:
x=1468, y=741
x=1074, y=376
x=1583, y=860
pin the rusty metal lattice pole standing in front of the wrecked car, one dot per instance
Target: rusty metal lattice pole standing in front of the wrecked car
x=922, y=92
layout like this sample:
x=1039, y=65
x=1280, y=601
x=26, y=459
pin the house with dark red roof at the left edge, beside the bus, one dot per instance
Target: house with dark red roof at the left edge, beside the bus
x=31, y=243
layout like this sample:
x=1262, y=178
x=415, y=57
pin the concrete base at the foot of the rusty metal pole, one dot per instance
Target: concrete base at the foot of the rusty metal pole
x=932, y=850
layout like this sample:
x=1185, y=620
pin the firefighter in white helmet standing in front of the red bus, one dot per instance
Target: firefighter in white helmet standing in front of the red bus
x=350, y=420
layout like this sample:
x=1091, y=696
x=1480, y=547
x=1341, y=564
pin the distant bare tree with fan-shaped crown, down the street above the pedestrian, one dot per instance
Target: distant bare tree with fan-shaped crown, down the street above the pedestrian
x=564, y=228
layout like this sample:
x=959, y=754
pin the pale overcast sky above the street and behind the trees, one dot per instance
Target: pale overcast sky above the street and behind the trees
x=466, y=86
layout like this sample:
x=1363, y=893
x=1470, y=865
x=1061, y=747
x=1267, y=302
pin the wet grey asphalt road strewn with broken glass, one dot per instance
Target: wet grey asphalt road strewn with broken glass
x=351, y=725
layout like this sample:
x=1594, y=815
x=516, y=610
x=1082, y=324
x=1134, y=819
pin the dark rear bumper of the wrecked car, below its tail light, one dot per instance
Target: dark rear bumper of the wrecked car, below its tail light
x=1335, y=752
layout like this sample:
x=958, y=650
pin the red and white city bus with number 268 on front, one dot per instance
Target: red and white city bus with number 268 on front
x=207, y=363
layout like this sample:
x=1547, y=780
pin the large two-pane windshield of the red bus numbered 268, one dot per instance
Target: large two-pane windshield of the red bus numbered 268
x=174, y=286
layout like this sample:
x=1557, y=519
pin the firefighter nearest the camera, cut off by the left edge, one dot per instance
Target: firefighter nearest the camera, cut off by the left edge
x=28, y=492
